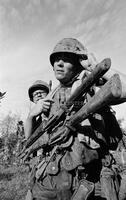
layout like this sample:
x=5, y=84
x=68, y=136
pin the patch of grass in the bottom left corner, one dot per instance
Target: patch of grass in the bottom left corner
x=13, y=182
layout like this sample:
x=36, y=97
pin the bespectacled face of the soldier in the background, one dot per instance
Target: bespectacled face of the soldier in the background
x=39, y=94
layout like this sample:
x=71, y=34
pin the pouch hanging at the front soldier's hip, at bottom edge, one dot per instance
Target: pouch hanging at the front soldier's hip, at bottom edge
x=84, y=190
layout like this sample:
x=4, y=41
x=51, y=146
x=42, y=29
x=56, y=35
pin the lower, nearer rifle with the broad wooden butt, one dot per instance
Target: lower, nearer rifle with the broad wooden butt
x=107, y=95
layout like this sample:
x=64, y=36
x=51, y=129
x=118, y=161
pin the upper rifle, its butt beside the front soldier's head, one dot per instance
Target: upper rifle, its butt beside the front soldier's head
x=100, y=69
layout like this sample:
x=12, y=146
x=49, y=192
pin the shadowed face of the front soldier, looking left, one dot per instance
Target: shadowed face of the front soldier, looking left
x=64, y=67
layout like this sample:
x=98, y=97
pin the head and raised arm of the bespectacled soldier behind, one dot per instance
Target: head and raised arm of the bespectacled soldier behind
x=37, y=94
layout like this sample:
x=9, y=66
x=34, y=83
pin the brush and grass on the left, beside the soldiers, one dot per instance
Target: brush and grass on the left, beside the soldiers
x=13, y=175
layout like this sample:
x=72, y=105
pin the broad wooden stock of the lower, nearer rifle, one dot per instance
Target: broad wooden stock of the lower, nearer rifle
x=107, y=95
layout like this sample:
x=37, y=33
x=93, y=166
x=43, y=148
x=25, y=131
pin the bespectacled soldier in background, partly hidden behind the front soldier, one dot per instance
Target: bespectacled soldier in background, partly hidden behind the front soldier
x=37, y=114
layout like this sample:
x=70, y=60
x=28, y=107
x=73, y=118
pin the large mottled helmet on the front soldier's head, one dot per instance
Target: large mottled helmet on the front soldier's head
x=69, y=45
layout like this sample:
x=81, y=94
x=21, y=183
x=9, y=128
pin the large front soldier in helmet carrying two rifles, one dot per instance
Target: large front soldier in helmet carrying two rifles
x=84, y=168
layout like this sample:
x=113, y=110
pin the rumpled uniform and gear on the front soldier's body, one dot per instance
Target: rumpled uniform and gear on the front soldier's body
x=83, y=160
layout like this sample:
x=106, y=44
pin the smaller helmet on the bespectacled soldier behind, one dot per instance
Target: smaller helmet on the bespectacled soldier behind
x=37, y=85
